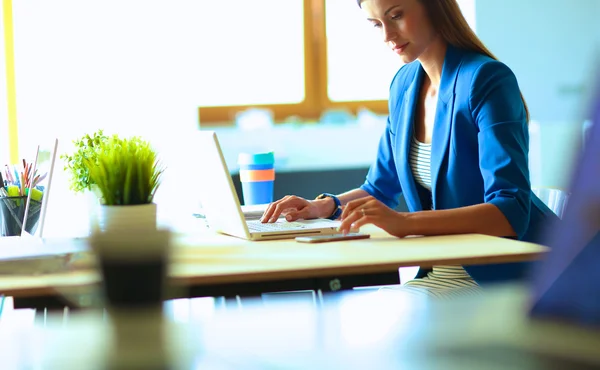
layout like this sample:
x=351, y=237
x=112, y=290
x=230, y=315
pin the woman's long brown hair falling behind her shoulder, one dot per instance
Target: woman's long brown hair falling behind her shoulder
x=449, y=21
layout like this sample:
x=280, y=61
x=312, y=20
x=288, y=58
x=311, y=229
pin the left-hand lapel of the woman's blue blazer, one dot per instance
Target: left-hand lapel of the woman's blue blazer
x=407, y=116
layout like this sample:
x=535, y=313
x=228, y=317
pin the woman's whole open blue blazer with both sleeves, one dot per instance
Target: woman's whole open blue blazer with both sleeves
x=479, y=151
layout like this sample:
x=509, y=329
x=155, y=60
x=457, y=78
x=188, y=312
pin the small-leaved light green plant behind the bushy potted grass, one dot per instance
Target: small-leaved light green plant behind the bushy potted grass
x=76, y=164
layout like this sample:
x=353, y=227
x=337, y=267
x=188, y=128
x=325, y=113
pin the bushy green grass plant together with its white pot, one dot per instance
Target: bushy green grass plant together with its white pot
x=126, y=174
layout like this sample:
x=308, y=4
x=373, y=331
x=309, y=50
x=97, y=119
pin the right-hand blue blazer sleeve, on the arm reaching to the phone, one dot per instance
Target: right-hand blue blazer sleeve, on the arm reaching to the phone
x=499, y=112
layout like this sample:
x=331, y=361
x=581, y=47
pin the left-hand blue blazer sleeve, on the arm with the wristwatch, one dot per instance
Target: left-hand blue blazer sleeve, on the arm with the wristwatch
x=382, y=180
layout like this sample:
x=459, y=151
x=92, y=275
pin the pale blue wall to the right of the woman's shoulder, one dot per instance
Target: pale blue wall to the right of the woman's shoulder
x=550, y=45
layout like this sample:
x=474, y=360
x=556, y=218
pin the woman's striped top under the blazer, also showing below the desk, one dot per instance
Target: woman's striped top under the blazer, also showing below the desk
x=420, y=163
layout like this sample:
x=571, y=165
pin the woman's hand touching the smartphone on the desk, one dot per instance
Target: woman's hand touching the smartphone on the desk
x=369, y=210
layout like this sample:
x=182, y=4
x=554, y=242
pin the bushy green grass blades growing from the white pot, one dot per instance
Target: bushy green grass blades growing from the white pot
x=126, y=171
